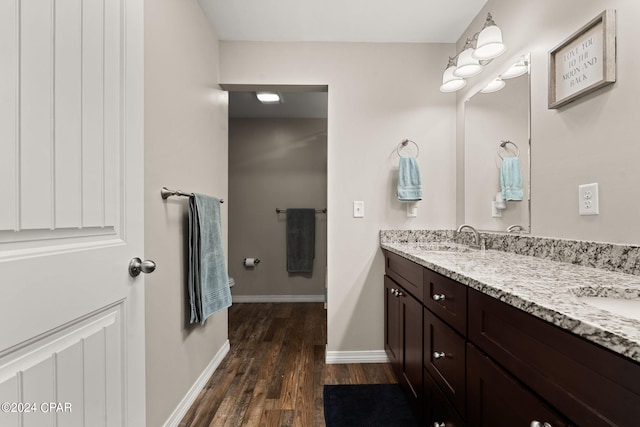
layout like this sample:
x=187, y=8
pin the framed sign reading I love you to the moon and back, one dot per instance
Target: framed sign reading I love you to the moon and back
x=584, y=62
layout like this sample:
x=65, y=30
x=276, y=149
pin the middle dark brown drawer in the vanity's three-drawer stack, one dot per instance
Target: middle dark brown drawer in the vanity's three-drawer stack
x=444, y=359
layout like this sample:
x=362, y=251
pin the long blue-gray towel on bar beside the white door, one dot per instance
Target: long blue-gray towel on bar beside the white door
x=208, y=279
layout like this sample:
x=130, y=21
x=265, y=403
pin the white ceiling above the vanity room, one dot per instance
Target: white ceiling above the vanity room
x=437, y=21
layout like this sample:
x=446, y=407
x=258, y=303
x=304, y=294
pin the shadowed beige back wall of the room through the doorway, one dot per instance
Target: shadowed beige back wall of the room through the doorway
x=275, y=163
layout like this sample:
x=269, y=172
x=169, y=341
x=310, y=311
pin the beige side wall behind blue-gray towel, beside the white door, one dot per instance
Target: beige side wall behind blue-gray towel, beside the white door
x=185, y=148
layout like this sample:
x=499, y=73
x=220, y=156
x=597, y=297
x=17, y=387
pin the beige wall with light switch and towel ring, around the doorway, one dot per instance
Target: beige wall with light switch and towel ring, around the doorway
x=378, y=95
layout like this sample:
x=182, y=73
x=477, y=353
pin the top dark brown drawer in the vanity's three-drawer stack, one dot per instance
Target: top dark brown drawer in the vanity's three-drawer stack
x=447, y=299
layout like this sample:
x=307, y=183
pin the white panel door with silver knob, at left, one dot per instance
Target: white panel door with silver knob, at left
x=71, y=213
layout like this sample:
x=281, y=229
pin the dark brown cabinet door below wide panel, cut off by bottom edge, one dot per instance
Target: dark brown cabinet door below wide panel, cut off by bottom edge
x=494, y=398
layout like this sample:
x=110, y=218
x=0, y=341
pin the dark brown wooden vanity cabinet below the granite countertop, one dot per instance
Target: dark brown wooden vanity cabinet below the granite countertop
x=469, y=359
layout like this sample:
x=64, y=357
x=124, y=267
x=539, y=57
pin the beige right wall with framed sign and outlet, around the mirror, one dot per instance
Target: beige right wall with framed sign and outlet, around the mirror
x=593, y=139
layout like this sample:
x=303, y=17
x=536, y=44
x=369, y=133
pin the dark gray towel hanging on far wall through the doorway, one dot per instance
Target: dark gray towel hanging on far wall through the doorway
x=301, y=240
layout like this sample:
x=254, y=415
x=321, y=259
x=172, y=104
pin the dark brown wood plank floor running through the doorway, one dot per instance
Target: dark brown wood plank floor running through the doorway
x=275, y=371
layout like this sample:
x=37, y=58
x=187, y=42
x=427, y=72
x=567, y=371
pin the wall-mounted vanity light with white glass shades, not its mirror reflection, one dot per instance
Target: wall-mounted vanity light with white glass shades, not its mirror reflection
x=471, y=61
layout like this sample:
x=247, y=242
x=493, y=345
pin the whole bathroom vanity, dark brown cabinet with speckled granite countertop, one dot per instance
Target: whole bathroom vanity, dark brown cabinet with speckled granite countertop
x=491, y=338
